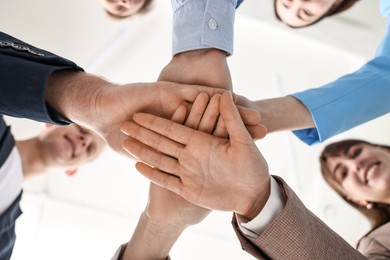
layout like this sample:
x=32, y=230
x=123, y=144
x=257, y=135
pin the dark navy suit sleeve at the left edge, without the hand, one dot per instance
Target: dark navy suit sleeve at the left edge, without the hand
x=24, y=72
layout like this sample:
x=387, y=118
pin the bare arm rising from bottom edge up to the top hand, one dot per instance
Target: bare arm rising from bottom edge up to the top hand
x=166, y=216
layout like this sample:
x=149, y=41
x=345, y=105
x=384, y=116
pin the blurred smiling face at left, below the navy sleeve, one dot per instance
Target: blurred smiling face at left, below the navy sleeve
x=64, y=146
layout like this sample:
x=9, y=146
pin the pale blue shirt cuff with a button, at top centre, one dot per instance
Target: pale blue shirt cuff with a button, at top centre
x=203, y=24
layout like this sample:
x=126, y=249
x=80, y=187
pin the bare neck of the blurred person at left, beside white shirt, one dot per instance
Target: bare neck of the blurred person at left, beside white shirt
x=31, y=156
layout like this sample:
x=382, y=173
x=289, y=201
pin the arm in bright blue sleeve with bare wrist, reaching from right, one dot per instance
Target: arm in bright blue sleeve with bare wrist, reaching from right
x=321, y=113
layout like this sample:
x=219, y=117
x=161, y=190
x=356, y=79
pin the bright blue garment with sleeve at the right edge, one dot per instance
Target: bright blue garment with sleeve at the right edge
x=352, y=99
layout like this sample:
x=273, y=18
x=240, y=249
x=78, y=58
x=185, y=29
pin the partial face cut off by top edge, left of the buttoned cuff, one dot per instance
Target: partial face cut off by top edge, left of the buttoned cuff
x=122, y=8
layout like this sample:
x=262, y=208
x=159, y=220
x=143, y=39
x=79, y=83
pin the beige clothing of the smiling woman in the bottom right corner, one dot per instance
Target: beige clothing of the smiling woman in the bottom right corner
x=376, y=245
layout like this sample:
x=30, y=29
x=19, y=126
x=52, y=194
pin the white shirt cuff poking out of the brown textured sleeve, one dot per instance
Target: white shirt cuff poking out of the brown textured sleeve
x=272, y=208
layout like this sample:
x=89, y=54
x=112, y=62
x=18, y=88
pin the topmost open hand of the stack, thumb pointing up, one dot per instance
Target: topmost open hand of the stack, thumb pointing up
x=208, y=171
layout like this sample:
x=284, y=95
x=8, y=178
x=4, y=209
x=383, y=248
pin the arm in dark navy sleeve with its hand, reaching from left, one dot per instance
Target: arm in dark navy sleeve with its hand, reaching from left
x=42, y=86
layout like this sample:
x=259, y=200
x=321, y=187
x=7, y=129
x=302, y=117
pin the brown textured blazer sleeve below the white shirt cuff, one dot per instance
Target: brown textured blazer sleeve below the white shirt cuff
x=296, y=233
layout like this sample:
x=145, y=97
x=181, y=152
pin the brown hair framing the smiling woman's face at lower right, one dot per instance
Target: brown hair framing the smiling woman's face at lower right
x=380, y=213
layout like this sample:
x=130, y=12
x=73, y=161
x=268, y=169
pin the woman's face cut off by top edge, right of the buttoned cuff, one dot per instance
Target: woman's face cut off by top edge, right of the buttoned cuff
x=299, y=13
